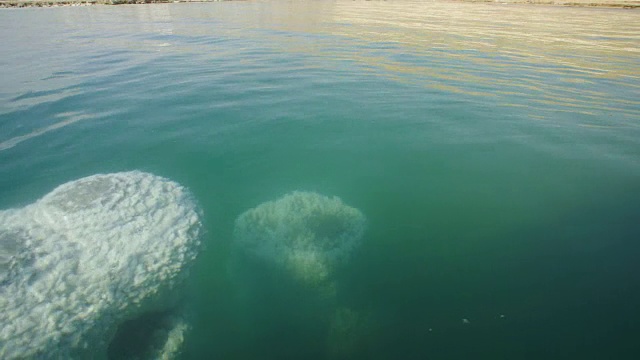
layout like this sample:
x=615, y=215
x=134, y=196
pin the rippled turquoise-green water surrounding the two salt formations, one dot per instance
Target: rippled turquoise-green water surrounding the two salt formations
x=495, y=151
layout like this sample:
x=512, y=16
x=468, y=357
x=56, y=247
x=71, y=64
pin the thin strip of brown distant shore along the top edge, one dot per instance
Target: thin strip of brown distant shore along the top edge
x=629, y=4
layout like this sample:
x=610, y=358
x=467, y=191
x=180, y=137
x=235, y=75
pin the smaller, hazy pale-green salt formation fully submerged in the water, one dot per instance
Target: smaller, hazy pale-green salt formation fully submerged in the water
x=306, y=234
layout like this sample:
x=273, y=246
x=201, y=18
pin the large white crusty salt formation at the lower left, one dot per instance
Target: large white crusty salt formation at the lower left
x=89, y=256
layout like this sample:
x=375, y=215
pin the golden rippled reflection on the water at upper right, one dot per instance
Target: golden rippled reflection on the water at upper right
x=516, y=48
